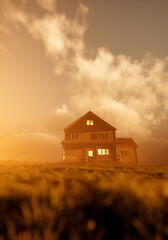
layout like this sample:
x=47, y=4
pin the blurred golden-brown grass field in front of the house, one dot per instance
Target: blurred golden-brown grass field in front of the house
x=52, y=201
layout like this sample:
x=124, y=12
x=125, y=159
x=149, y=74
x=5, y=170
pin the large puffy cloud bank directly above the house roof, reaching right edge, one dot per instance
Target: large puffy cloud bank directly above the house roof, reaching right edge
x=131, y=94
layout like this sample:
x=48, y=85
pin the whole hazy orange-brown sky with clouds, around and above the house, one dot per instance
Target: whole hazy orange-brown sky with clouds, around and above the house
x=62, y=58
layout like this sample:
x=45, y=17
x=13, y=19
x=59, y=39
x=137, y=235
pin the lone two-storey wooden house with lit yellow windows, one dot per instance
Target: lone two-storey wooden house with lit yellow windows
x=91, y=139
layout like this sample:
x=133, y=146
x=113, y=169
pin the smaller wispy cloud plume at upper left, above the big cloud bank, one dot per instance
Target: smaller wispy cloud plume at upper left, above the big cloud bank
x=62, y=37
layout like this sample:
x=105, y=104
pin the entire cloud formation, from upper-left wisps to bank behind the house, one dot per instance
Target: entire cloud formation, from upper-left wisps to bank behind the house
x=130, y=94
